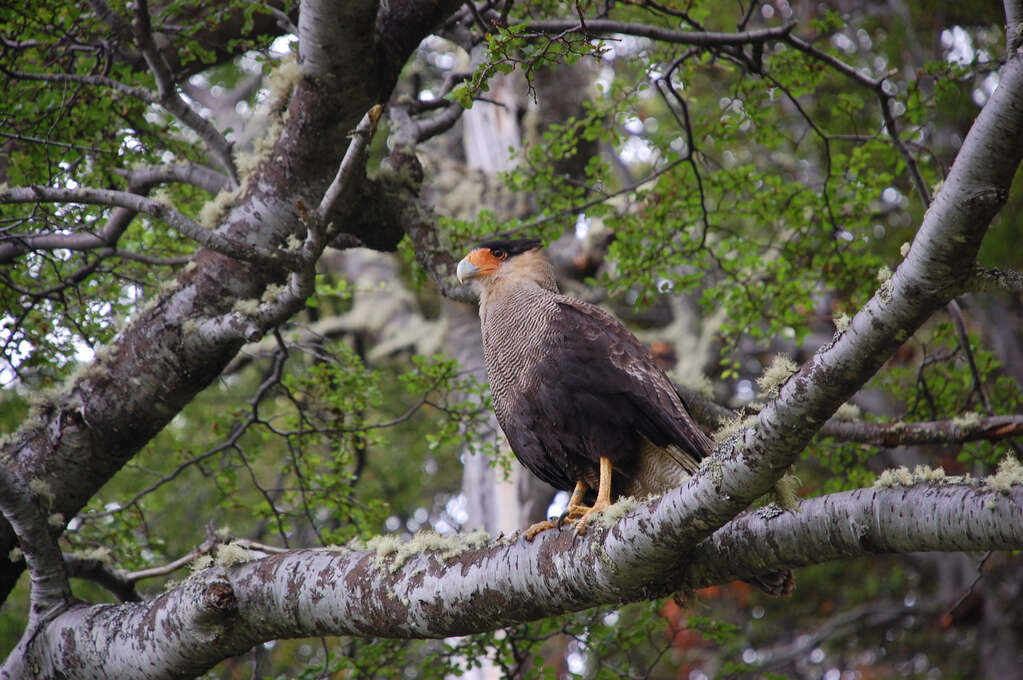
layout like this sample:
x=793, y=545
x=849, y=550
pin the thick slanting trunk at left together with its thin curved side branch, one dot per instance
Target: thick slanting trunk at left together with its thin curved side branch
x=74, y=442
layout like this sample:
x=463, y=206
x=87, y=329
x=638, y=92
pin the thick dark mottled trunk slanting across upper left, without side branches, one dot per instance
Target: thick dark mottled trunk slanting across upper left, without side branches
x=175, y=348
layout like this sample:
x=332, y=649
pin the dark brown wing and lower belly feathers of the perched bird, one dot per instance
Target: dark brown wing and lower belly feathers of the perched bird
x=598, y=391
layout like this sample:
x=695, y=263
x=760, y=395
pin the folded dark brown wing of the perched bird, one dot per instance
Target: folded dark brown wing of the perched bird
x=597, y=370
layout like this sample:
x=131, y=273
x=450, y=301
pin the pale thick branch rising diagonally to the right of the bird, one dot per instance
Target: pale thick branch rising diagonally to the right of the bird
x=940, y=261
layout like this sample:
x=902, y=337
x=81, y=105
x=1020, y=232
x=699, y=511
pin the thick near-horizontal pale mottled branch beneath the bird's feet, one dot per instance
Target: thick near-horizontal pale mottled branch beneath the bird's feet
x=465, y=585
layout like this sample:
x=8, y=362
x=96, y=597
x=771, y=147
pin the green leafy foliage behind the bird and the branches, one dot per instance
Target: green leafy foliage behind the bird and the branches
x=769, y=188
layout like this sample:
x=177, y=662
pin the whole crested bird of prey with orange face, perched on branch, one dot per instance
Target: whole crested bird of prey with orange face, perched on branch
x=582, y=401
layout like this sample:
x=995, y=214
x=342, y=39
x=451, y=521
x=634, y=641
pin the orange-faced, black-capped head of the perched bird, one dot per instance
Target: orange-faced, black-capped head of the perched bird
x=519, y=260
